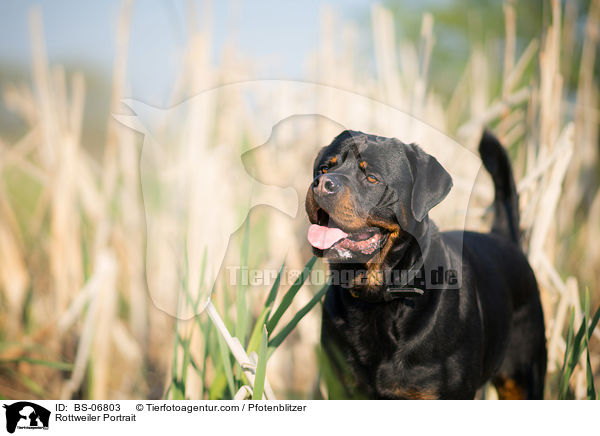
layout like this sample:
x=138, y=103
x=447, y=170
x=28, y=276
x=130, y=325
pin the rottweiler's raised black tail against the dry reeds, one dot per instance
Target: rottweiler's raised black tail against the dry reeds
x=506, y=199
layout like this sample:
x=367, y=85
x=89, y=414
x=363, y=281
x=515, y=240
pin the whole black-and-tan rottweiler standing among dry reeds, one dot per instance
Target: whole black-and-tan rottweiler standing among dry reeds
x=403, y=335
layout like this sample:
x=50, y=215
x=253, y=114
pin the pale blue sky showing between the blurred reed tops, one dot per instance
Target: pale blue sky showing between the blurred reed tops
x=282, y=33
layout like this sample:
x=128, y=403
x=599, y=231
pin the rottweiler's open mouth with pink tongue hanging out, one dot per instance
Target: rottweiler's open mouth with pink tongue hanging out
x=326, y=234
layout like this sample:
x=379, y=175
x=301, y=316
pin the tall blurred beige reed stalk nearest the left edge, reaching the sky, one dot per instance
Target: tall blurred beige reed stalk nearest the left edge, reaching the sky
x=59, y=153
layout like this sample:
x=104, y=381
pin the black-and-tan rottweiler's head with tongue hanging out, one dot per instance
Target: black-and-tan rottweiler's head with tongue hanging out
x=370, y=195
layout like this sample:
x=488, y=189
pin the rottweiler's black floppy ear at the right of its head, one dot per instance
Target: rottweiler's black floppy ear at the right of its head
x=431, y=182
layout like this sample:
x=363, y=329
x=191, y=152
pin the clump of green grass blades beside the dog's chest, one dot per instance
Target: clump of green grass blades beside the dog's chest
x=244, y=378
